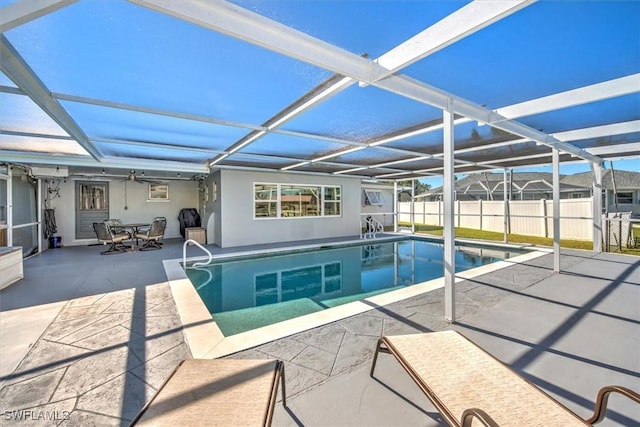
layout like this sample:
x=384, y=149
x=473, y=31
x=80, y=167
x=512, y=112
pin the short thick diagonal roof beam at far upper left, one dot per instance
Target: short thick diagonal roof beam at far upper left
x=17, y=70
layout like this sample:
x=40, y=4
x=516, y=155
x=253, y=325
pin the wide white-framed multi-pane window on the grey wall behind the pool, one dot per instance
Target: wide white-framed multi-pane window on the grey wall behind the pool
x=296, y=200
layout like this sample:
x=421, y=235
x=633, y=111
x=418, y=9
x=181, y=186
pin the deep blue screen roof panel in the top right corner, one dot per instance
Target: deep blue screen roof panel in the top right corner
x=545, y=48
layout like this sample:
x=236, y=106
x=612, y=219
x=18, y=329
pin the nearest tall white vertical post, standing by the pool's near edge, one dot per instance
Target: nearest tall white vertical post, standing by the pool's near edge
x=449, y=203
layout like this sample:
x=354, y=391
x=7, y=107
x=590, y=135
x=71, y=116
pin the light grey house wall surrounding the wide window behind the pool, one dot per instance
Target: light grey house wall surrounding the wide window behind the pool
x=238, y=227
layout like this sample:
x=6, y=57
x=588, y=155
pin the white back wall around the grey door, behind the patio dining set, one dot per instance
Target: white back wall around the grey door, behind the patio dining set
x=182, y=194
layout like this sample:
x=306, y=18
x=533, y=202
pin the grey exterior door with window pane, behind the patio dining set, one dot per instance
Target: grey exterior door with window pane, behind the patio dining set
x=92, y=205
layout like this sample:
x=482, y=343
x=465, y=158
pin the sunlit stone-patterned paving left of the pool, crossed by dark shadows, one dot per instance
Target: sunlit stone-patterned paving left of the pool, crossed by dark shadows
x=101, y=358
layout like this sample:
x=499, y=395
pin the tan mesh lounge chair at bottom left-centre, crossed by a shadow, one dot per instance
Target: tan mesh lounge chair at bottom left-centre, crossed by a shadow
x=220, y=392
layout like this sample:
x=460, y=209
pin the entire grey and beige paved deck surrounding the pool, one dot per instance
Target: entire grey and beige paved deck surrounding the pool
x=87, y=339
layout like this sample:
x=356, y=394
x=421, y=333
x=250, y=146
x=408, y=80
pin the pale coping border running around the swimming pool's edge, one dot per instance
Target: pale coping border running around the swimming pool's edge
x=206, y=340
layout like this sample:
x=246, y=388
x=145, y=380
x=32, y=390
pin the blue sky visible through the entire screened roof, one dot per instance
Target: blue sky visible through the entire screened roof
x=96, y=53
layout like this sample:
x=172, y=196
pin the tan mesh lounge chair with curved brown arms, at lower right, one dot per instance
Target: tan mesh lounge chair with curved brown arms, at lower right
x=467, y=384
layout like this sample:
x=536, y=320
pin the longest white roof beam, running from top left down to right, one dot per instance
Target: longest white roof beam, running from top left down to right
x=240, y=23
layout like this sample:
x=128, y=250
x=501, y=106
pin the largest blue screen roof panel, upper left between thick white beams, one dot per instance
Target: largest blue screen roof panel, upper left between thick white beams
x=141, y=58
